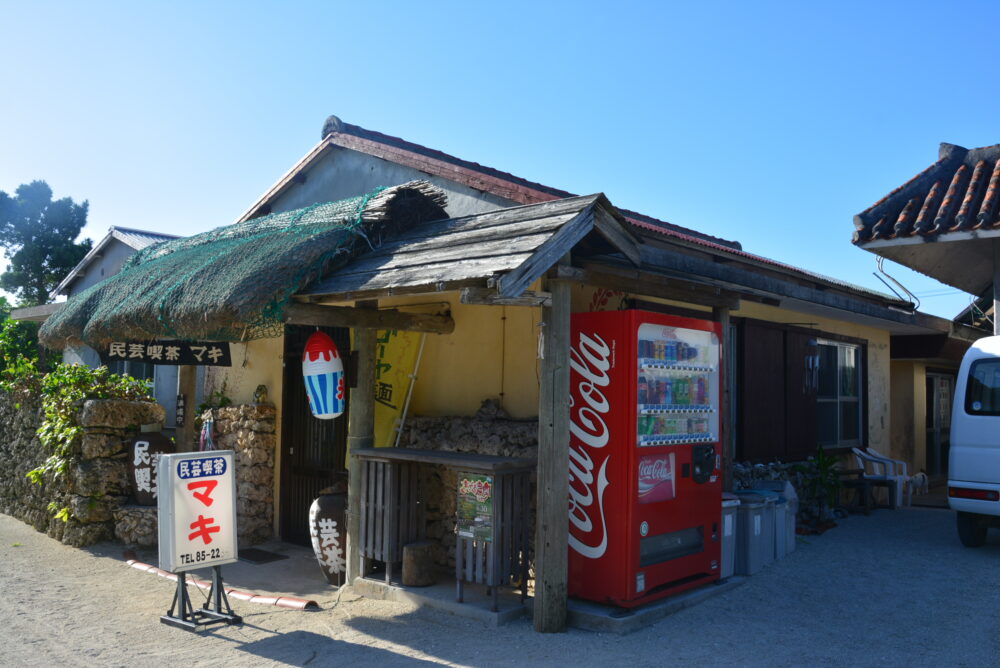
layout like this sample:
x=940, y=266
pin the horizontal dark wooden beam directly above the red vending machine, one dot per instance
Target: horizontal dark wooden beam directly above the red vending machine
x=649, y=284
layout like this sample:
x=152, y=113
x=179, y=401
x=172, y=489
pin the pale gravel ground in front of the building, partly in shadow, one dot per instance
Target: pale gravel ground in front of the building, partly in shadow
x=893, y=588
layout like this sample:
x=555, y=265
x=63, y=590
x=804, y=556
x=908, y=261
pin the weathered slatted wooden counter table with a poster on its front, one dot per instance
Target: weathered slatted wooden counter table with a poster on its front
x=391, y=515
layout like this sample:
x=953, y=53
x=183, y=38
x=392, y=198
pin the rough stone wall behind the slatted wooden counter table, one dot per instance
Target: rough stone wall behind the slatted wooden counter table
x=490, y=432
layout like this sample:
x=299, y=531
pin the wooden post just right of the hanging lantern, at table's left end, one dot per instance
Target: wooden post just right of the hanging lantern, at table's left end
x=360, y=434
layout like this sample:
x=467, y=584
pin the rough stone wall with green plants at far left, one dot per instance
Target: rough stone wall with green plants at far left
x=95, y=483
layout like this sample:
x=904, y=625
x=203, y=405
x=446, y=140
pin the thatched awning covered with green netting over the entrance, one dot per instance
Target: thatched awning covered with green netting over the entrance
x=233, y=283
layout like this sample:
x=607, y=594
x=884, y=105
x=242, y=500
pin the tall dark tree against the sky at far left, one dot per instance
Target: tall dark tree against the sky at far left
x=38, y=235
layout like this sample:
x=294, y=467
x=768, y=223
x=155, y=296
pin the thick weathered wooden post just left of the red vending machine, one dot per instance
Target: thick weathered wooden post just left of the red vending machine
x=552, y=527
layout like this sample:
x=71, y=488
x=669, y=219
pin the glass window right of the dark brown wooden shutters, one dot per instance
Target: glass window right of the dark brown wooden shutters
x=838, y=396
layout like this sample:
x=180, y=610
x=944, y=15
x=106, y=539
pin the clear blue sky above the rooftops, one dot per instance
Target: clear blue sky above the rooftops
x=771, y=123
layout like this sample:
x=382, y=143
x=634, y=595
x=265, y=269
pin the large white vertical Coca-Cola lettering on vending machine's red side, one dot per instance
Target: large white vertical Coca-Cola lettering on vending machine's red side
x=589, y=363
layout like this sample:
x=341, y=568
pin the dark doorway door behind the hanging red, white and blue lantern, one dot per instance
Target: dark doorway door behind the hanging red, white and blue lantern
x=312, y=451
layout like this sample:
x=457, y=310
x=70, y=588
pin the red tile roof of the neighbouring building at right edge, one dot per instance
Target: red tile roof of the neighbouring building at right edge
x=922, y=206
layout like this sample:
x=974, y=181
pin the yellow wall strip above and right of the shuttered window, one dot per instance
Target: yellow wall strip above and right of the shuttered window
x=879, y=412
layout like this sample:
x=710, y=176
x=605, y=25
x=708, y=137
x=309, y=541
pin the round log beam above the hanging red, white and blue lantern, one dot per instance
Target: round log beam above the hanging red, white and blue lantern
x=349, y=316
